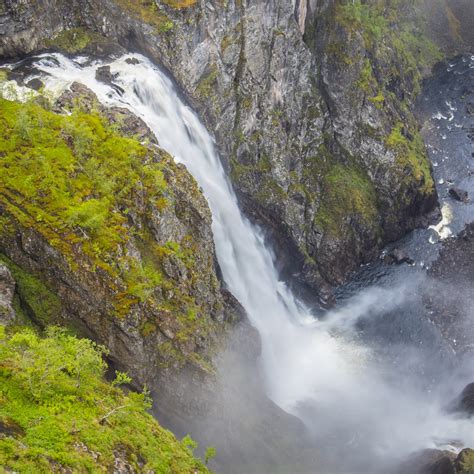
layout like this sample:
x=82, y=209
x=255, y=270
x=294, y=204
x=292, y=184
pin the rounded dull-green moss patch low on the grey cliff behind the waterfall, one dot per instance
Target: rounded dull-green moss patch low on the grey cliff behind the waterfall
x=347, y=193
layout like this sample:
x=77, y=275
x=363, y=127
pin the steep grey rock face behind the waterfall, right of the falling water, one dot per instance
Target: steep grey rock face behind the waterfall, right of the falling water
x=309, y=128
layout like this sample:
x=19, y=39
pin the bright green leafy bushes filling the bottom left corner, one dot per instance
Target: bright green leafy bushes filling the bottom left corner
x=58, y=413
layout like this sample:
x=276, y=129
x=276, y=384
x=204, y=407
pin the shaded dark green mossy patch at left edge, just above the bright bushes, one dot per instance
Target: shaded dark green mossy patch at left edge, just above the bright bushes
x=33, y=295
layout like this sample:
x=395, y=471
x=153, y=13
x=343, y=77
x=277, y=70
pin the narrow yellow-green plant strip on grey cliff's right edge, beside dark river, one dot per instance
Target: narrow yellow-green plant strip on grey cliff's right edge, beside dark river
x=411, y=156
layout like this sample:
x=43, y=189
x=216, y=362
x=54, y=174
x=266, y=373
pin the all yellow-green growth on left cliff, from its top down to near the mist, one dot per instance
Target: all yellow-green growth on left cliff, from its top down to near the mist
x=76, y=182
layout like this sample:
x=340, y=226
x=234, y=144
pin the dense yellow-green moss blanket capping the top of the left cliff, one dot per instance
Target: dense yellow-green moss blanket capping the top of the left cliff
x=73, y=179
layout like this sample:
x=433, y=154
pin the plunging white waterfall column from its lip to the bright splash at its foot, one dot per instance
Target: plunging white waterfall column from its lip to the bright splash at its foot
x=246, y=263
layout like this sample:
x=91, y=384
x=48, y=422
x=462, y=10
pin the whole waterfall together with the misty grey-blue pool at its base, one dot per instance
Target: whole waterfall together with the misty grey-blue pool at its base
x=368, y=377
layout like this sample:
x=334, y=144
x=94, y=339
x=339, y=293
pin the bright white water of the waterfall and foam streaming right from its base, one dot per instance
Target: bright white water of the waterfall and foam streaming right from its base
x=303, y=360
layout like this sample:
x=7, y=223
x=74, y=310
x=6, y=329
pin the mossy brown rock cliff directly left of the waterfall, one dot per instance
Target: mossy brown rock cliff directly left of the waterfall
x=111, y=235
